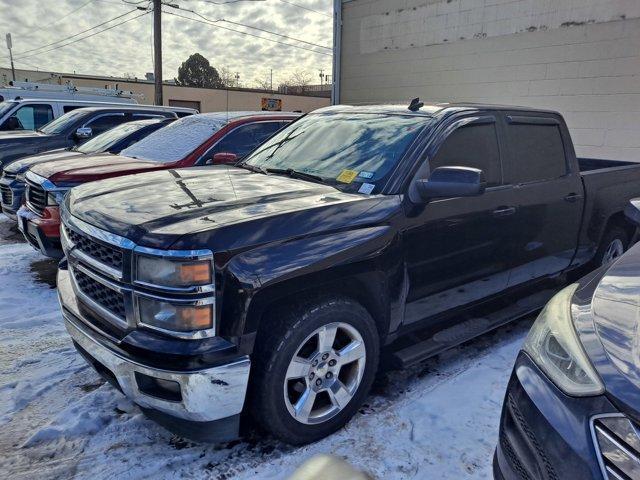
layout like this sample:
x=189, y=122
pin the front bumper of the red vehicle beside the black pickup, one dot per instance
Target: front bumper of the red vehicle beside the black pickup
x=42, y=232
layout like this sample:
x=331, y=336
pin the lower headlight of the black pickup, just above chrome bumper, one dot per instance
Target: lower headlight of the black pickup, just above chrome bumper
x=176, y=318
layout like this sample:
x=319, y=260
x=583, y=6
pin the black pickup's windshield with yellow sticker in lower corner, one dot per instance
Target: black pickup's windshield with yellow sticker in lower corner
x=344, y=150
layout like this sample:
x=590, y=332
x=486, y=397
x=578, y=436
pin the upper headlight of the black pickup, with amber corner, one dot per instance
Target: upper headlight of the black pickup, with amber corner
x=173, y=273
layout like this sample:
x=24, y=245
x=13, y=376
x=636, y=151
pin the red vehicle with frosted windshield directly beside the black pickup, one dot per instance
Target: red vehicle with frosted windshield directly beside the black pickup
x=196, y=140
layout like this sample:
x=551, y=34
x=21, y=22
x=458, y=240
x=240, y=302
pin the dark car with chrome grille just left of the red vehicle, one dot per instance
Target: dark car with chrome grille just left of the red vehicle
x=12, y=184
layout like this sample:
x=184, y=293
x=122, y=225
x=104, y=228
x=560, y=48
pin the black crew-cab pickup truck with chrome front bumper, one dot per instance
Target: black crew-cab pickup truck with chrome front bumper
x=271, y=291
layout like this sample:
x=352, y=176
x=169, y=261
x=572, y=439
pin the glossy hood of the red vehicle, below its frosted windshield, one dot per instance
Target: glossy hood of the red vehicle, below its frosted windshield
x=87, y=168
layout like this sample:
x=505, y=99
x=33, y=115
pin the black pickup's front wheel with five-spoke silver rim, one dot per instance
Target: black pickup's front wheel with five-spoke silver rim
x=296, y=331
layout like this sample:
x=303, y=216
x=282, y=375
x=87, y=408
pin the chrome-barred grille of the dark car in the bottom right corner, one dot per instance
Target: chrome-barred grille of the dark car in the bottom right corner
x=618, y=441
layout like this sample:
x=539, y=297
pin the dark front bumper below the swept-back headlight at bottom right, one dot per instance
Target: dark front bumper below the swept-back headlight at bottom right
x=545, y=434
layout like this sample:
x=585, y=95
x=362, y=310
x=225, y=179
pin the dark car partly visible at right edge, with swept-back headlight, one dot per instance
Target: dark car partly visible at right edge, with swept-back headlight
x=572, y=406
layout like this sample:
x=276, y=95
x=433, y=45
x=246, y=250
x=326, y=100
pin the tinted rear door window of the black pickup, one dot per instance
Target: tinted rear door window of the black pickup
x=537, y=153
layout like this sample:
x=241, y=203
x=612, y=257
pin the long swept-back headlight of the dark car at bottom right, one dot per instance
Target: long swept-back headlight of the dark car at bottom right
x=554, y=346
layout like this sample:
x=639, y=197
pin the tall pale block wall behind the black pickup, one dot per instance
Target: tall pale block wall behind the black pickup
x=581, y=57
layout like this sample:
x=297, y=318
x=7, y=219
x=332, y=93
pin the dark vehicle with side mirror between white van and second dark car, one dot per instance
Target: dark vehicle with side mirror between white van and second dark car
x=73, y=128
